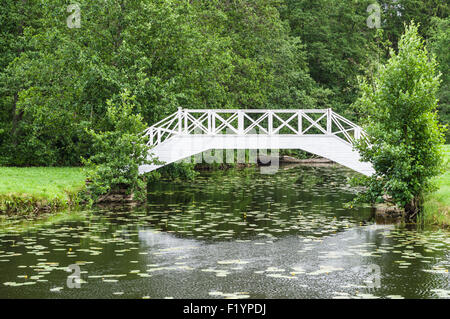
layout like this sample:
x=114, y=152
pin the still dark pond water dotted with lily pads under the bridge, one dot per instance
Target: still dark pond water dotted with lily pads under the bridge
x=228, y=234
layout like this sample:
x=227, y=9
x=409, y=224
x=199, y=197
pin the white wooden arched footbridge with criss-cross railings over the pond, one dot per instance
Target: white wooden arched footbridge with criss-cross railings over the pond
x=318, y=131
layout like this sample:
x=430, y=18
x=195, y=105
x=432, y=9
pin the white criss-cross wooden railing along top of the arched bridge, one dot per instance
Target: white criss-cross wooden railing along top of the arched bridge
x=310, y=122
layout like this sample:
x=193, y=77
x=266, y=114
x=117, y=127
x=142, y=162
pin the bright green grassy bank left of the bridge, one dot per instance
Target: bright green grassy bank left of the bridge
x=36, y=189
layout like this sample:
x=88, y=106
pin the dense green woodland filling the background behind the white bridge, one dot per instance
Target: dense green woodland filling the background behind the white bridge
x=55, y=78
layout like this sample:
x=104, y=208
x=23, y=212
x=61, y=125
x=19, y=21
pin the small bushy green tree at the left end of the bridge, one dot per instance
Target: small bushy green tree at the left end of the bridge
x=120, y=149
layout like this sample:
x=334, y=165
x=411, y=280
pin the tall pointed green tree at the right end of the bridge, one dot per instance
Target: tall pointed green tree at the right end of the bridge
x=405, y=137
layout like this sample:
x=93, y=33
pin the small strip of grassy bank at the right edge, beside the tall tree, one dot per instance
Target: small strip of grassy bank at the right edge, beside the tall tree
x=437, y=204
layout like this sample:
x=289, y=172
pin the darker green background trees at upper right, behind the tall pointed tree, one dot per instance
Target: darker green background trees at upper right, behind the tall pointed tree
x=339, y=44
